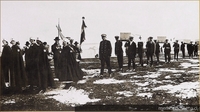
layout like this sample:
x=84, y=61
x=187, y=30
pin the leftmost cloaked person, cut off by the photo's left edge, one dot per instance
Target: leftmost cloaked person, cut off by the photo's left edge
x=5, y=65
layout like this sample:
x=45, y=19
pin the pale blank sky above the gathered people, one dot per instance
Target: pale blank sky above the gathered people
x=21, y=20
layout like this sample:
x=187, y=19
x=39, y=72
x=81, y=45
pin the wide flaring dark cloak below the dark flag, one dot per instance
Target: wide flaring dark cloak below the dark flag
x=70, y=70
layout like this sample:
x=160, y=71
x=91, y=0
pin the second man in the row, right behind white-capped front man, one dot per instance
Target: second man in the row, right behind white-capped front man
x=119, y=52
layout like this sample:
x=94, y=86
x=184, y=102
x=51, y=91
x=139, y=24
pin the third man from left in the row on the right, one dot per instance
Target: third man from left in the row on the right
x=131, y=51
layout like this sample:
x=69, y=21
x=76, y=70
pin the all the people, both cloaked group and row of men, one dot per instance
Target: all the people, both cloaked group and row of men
x=33, y=72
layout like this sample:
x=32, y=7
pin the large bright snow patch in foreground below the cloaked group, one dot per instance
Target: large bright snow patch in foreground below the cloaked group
x=70, y=96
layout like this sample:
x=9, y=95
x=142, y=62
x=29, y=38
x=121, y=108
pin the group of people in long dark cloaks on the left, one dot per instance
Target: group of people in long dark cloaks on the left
x=33, y=72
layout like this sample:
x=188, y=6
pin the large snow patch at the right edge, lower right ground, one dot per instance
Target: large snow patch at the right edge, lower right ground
x=185, y=89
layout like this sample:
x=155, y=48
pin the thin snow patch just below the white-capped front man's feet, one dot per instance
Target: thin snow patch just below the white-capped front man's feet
x=108, y=81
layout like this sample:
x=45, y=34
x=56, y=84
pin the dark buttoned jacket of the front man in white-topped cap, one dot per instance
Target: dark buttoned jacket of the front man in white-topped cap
x=105, y=49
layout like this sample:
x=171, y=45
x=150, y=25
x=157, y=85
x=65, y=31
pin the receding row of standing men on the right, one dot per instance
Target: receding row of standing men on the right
x=132, y=48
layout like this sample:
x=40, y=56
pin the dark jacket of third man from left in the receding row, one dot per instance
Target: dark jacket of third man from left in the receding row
x=131, y=51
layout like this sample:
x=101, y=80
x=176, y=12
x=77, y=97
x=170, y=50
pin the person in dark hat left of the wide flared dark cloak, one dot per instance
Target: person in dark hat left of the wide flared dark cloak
x=56, y=50
